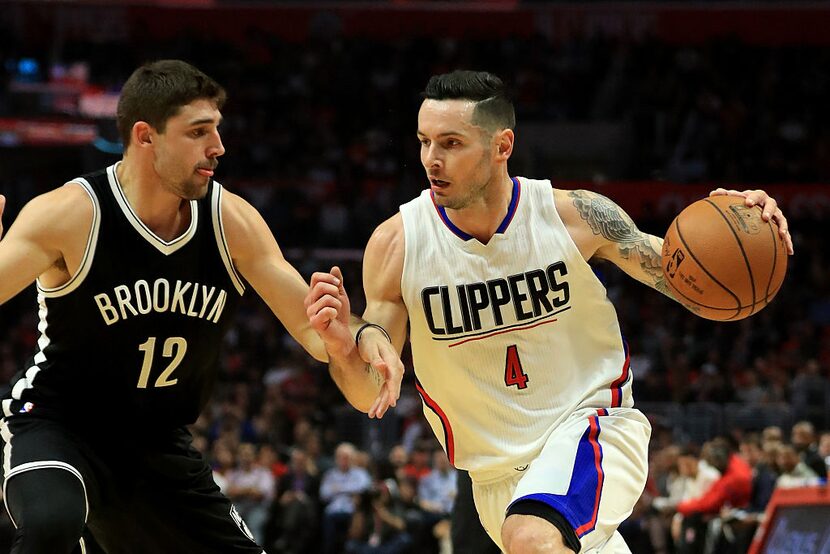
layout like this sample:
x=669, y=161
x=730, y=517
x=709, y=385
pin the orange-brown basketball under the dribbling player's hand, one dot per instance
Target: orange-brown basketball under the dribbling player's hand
x=721, y=260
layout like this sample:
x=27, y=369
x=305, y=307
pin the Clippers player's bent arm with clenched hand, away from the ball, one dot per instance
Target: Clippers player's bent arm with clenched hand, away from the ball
x=374, y=386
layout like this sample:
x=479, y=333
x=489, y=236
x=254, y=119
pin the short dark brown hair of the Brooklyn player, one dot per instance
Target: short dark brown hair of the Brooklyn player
x=156, y=91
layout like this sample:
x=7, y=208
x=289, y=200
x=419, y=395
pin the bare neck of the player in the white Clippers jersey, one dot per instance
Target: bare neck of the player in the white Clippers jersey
x=481, y=219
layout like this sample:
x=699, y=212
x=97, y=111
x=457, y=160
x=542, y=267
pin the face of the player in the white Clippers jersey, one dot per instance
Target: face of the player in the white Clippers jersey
x=456, y=154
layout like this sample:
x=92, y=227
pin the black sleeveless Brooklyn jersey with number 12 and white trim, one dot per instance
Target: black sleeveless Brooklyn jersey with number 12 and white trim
x=133, y=338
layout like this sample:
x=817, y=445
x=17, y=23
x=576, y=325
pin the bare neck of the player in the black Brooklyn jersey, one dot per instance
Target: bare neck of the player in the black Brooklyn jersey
x=165, y=213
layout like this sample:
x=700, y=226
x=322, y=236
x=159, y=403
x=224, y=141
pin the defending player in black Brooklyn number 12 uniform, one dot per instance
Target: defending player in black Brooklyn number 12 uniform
x=139, y=270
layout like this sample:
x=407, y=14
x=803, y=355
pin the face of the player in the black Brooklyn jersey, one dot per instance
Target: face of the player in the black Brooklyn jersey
x=187, y=153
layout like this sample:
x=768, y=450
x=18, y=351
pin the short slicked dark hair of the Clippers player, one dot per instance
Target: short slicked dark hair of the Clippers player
x=494, y=109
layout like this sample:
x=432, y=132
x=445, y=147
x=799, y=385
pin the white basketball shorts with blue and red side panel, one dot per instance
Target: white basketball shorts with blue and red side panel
x=592, y=470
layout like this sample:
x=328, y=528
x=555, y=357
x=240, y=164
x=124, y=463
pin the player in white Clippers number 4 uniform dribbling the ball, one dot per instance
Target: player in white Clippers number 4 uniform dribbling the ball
x=519, y=359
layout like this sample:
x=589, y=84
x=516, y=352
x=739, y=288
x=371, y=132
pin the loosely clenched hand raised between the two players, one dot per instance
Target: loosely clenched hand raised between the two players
x=328, y=310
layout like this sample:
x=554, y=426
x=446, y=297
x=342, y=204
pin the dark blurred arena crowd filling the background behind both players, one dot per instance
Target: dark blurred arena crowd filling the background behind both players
x=321, y=138
